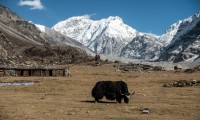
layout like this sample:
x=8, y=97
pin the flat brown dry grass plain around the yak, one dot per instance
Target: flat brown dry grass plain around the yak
x=63, y=98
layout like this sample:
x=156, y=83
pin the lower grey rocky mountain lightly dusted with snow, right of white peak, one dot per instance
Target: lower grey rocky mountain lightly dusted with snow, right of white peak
x=144, y=46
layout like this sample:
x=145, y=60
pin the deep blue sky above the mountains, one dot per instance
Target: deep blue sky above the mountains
x=153, y=16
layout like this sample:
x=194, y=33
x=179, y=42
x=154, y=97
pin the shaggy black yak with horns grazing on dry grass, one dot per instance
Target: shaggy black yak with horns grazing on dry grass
x=112, y=90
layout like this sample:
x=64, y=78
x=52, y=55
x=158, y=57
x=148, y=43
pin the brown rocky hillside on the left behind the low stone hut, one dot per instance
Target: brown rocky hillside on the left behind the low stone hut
x=22, y=43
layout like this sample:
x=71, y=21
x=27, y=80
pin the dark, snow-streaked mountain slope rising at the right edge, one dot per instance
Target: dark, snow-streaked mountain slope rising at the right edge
x=184, y=43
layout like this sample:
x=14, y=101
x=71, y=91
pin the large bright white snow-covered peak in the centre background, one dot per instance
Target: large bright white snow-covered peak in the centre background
x=107, y=36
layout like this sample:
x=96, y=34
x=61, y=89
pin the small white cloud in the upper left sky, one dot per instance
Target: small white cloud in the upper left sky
x=35, y=4
